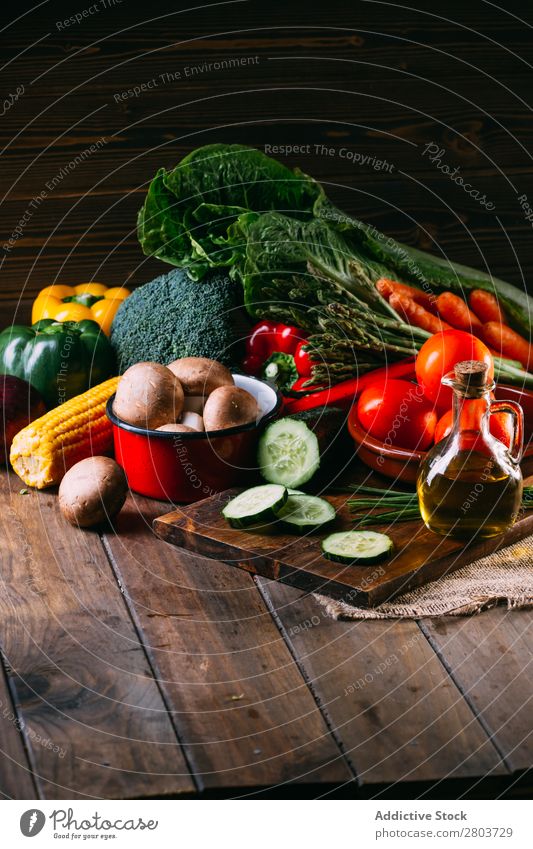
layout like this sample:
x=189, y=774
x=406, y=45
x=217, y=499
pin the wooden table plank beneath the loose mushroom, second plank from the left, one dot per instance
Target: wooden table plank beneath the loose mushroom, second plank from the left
x=79, y=673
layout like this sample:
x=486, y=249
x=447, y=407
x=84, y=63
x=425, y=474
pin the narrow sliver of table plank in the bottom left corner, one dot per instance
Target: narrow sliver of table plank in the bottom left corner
x=16, y=781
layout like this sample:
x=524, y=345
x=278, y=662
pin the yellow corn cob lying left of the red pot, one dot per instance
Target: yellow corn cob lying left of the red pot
x=43, y=451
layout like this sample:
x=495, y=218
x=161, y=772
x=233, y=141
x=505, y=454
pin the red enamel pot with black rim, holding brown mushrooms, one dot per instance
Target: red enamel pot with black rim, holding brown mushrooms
x=186, y=467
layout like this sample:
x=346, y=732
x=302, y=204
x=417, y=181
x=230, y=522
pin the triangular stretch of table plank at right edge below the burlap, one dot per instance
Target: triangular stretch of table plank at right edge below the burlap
x=490, y=657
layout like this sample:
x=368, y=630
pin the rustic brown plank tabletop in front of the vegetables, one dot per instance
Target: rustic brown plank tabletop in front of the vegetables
x=133, y=669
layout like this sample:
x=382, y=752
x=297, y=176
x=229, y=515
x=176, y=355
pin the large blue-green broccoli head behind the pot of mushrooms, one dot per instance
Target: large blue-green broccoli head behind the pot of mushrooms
x=173, y=317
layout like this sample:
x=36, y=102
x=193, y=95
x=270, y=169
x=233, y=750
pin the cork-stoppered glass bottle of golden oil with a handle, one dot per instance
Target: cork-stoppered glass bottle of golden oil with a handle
x=470, y=484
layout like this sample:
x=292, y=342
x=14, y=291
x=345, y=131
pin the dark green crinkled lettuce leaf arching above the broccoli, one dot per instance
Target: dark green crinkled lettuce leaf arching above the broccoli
x=188, y=212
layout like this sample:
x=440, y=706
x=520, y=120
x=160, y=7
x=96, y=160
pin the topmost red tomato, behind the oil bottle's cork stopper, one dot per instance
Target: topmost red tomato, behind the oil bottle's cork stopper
x=440, y=354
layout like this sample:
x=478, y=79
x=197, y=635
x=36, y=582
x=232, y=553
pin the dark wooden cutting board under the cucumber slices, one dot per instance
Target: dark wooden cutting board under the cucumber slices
x=420, y=556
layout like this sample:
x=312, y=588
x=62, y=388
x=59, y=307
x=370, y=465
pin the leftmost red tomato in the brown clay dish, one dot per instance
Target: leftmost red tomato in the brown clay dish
x=397, y=413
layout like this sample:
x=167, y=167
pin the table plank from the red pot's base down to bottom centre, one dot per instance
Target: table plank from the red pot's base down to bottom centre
x=244, y=712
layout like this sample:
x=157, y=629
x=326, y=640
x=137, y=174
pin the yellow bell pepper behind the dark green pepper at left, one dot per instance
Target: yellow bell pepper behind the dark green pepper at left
x=92, y=301
